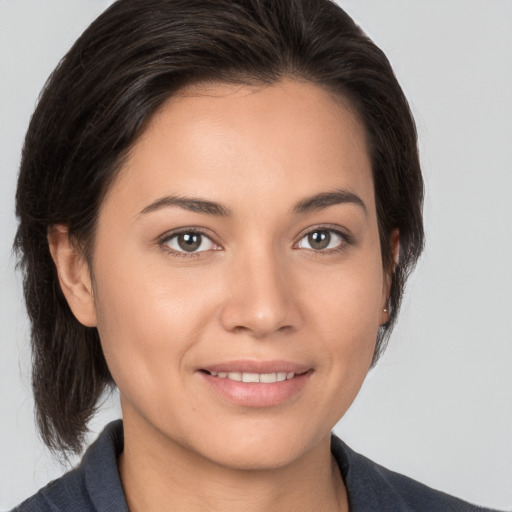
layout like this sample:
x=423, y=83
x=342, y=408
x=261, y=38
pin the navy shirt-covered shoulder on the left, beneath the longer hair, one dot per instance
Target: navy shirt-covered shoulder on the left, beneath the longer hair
x=93, y=486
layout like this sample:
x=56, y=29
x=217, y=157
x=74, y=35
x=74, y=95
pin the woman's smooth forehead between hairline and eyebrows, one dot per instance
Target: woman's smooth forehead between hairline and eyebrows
x=232, y=143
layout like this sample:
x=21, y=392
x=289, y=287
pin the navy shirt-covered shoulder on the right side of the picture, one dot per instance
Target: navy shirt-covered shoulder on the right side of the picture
x=373, y=487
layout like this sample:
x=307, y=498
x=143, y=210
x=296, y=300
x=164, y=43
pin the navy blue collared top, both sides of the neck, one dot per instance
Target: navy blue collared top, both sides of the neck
x=95, y=485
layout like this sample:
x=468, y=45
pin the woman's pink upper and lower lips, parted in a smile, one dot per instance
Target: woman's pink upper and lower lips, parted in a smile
x=252, y=394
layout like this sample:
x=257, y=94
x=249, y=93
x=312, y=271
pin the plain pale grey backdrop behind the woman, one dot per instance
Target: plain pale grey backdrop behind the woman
x=438, y=407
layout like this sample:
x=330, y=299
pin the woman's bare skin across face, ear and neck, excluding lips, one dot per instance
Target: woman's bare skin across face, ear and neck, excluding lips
x=259, y=291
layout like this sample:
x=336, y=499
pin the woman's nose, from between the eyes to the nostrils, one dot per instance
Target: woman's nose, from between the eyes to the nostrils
x=261, y=298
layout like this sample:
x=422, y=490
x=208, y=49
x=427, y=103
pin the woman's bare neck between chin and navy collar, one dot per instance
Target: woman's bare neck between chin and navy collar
x=163, y=475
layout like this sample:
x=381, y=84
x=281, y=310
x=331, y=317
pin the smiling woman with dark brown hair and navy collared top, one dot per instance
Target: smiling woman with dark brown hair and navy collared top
x=219, y=204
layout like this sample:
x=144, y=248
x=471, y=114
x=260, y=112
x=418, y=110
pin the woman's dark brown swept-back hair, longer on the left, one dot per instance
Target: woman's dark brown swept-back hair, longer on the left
x=97, y=102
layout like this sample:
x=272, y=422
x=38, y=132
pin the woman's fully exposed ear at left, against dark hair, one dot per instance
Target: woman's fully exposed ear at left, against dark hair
x=74, y=275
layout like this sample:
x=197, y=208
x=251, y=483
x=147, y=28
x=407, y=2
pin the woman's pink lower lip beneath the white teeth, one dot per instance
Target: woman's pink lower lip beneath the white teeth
x=256, y=394
